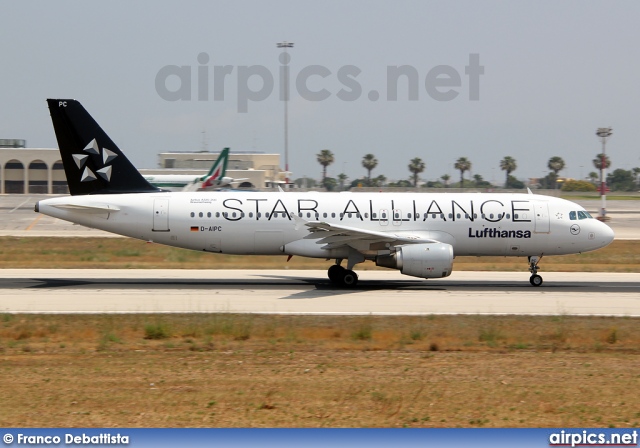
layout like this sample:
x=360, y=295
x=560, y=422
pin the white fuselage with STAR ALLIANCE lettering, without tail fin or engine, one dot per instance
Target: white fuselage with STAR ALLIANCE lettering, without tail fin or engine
x=271, y=223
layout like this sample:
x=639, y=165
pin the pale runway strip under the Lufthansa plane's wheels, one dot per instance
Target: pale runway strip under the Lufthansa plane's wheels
x=309, y=292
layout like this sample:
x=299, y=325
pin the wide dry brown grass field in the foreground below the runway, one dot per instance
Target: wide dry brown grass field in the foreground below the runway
x=311, y=371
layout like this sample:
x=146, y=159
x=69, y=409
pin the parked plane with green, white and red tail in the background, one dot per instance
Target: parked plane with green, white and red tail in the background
x=188, y=182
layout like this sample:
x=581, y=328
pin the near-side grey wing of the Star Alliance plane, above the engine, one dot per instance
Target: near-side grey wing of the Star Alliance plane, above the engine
x=336, y=235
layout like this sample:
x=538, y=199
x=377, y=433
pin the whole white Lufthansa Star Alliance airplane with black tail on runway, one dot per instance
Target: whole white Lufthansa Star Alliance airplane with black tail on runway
x=418, y=234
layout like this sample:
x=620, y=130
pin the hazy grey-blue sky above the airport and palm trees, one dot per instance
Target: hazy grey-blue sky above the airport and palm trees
x=553, y=73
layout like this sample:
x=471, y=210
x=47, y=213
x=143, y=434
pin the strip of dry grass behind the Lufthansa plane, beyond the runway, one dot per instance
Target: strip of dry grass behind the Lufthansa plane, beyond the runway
x=620, y=256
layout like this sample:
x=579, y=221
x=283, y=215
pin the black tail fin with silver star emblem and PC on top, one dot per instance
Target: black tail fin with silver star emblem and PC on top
x=92, y=162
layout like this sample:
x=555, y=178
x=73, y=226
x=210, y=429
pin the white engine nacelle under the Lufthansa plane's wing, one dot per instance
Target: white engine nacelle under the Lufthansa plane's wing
x=433, y=260
